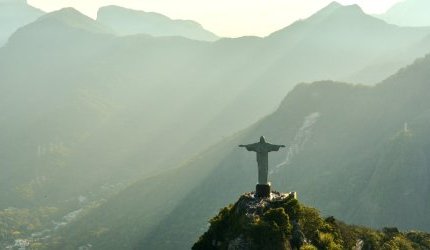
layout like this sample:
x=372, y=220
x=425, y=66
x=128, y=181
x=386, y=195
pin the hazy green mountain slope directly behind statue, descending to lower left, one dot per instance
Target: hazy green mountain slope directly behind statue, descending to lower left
x=346, y=153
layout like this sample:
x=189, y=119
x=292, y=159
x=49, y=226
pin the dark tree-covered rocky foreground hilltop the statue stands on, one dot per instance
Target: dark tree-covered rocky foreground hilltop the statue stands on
x=281, y=222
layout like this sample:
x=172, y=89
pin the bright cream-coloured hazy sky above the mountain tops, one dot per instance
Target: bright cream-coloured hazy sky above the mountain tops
x=224, y=17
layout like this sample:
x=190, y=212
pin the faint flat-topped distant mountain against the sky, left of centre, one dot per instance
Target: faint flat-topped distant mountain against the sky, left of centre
x=130, y=22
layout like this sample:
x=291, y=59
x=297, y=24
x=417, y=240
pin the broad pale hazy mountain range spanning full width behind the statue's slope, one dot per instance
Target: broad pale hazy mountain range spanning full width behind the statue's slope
x=102, y=80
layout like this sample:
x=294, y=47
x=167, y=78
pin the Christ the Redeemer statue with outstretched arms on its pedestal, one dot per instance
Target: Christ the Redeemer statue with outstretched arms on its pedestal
x=262, y=149
